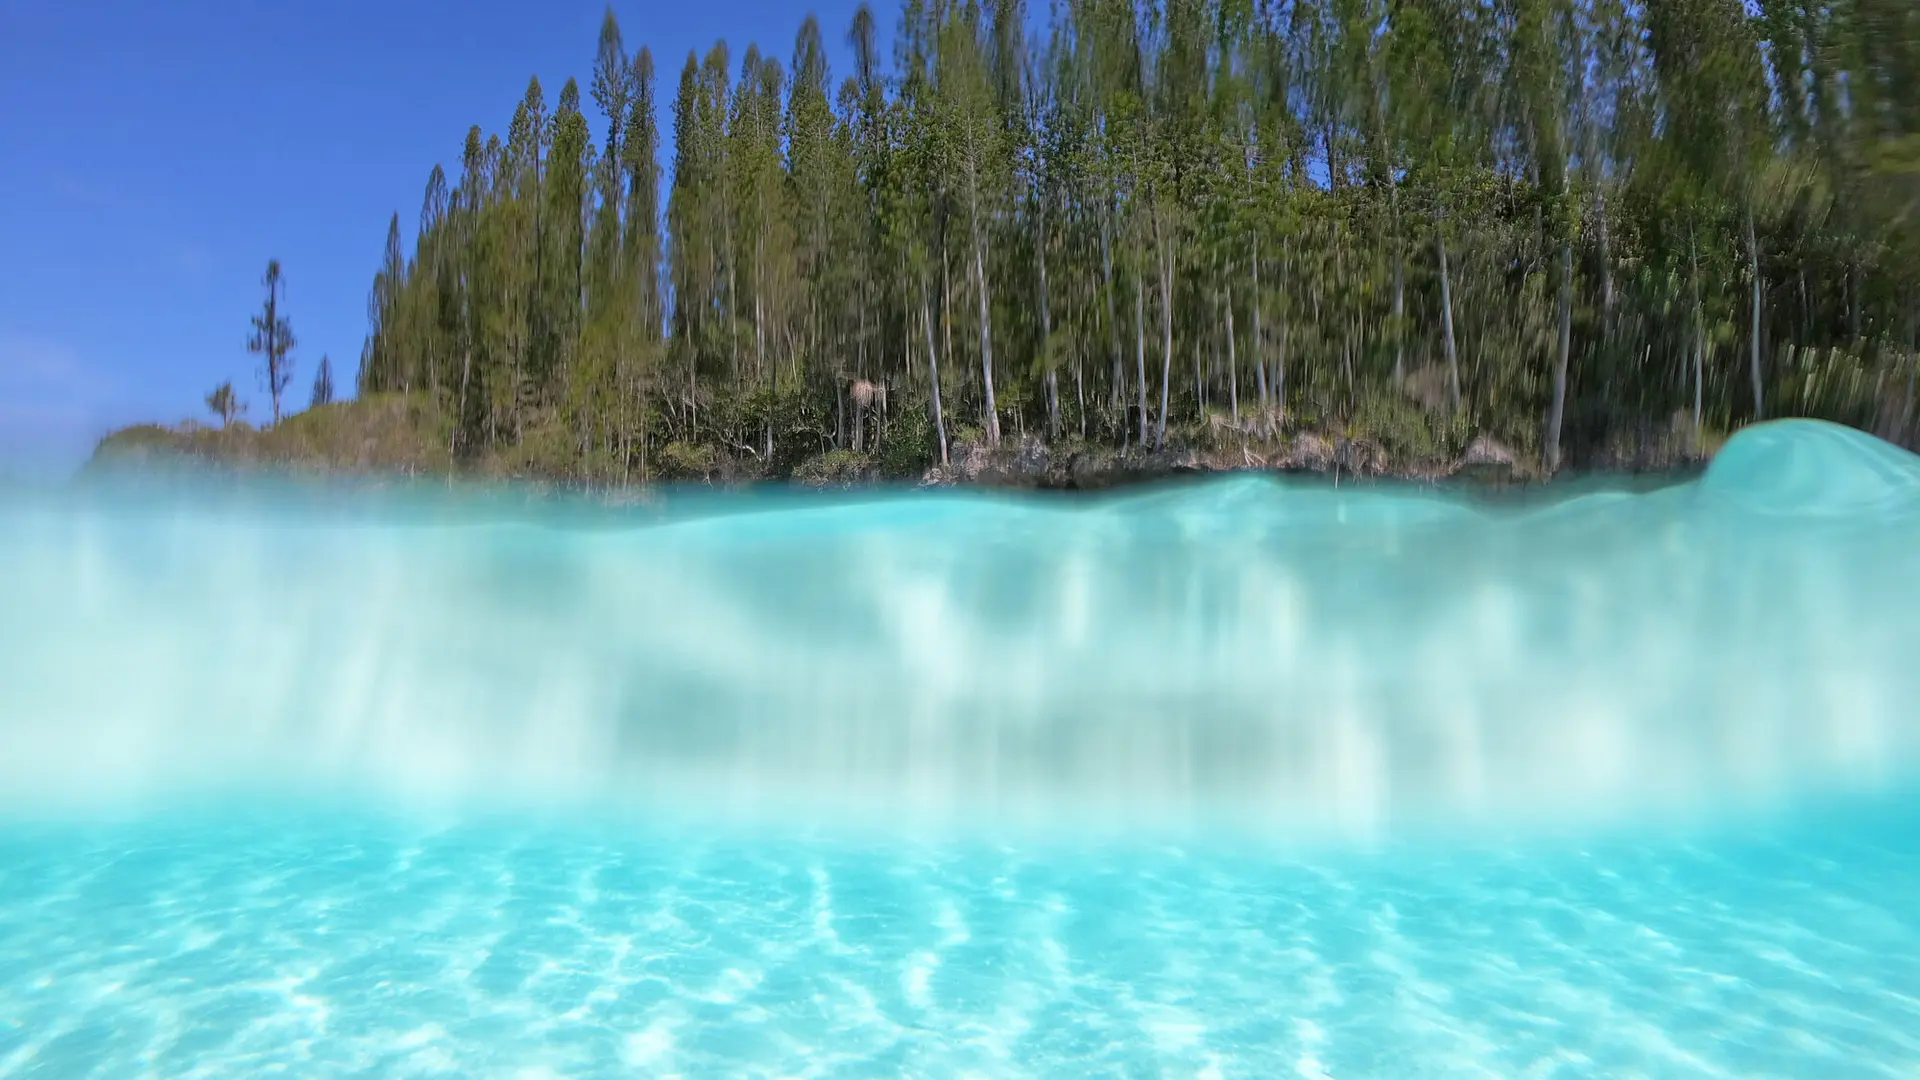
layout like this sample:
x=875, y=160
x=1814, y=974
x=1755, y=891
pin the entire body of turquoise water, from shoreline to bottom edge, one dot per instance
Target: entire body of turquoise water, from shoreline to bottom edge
x=1236, y=779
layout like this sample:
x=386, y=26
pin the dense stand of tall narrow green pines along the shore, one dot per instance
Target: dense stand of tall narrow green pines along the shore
x=1573, y=226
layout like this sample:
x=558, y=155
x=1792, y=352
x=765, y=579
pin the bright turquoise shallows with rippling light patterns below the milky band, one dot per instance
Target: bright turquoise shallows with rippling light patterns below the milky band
x=350, y=946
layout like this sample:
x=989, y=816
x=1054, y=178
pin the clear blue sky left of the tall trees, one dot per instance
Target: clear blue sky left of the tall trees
x=156, y=155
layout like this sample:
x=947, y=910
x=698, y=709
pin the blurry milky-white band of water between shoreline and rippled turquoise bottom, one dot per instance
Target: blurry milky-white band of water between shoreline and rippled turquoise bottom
x=1287, y=658
